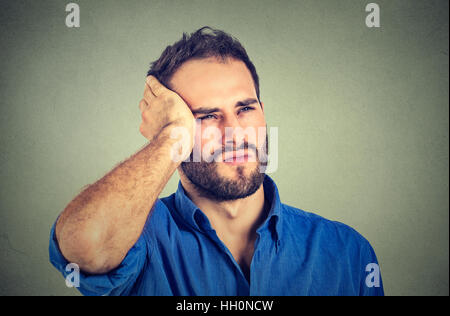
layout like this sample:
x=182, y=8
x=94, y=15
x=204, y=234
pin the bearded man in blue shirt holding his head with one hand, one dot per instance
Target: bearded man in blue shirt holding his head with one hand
x=225, y=230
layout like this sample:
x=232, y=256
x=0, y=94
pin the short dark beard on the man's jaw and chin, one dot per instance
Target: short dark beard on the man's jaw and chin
x=210, y=184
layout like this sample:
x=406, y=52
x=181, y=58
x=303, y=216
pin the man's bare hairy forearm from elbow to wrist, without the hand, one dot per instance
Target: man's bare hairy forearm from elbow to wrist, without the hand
x=102, y=223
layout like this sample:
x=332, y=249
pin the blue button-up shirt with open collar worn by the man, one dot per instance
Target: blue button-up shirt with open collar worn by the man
x=179, y=253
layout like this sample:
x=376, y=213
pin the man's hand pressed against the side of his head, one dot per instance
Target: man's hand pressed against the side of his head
x=162, y=110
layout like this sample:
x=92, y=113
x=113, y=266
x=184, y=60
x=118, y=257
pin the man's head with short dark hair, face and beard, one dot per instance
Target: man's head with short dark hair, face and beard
x=216, y=79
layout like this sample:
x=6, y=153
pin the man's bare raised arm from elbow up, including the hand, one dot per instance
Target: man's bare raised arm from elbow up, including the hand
x=99, y=226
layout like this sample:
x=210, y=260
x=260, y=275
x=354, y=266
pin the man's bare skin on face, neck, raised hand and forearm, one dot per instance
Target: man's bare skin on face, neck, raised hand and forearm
x=99, y=226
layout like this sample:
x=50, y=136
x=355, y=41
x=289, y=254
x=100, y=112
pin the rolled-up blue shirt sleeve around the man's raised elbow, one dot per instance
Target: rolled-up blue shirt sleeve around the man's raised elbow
x=119, y=281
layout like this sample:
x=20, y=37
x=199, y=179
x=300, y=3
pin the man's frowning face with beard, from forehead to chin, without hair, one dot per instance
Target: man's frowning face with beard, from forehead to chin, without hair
x=222, y=97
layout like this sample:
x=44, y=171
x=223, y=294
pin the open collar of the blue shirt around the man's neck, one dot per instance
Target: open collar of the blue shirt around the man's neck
x=198, y=220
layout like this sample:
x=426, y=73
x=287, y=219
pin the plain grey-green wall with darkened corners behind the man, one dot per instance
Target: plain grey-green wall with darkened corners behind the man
x=362, y=116
